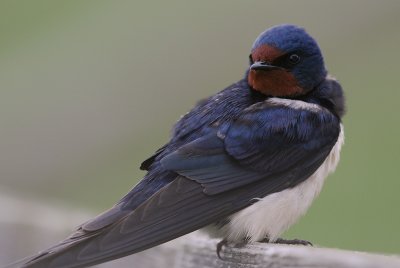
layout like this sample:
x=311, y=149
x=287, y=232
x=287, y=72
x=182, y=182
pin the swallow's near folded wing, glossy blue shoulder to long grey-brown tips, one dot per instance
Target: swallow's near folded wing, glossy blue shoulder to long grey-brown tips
x=267, y=149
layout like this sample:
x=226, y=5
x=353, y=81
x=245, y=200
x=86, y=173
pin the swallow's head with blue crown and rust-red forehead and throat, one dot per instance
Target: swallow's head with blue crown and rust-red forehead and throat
x=285, y=61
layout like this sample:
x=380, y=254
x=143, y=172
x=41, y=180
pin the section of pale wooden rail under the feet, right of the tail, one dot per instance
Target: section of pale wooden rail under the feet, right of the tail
x=198, y=251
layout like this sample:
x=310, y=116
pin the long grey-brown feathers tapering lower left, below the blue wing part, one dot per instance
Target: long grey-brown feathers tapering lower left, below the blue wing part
x=176, y=210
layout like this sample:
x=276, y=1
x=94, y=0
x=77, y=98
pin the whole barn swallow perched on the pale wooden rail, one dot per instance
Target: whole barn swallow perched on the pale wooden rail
x=243, y=164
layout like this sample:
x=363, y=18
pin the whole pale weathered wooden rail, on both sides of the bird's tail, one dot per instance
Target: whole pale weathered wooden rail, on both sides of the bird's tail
x=26, y=227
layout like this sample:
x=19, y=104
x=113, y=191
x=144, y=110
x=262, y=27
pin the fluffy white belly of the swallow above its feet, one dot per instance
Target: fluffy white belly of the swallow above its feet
x=275, y=213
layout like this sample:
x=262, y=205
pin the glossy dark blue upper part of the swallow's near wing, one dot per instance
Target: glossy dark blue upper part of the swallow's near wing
x=267, y=141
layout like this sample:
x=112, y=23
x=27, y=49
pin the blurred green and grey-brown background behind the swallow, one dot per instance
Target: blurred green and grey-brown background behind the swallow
x=89, y=89
